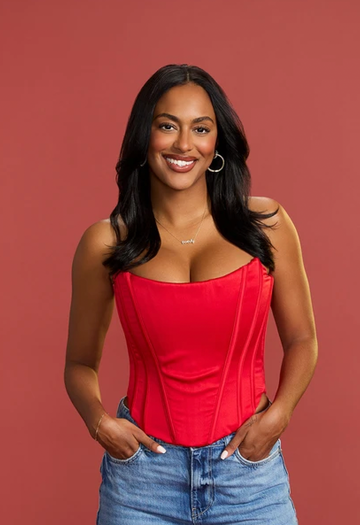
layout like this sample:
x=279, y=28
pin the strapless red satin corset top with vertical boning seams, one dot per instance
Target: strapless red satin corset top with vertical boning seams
x=196, y=352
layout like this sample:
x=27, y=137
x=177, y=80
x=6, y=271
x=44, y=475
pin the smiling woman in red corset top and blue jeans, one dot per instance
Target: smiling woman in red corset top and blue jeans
x=193, y=264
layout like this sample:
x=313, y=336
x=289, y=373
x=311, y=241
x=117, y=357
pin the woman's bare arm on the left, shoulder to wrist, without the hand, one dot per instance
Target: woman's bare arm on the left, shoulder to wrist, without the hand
x=91, y=311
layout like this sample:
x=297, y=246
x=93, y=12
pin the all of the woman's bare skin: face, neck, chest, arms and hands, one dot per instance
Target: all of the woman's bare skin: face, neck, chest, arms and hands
x=179, y=201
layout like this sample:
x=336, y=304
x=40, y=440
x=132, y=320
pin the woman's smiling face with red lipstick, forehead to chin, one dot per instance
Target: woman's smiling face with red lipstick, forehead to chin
x=183, y=130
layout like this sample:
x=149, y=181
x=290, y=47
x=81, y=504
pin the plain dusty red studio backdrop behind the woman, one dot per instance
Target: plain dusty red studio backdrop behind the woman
x=70, y=74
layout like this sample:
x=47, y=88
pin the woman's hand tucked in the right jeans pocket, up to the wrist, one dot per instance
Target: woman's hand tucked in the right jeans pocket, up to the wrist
x=258, y=434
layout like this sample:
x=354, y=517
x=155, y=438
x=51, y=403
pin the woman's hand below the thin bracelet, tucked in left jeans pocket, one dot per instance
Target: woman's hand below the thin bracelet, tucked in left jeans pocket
x=121, y=438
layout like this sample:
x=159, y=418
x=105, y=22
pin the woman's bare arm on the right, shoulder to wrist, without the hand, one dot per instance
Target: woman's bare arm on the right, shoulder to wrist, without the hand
x=293, y=314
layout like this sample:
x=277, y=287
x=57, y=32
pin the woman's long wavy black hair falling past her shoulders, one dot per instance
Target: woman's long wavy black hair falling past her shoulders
x=228, y=190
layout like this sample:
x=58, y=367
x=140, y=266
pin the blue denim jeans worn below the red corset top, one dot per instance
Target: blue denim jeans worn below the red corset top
x=188, y=485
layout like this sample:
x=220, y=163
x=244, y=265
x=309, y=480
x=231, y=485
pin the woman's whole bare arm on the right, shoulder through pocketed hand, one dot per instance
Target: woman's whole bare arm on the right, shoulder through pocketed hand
x=294, y=318
